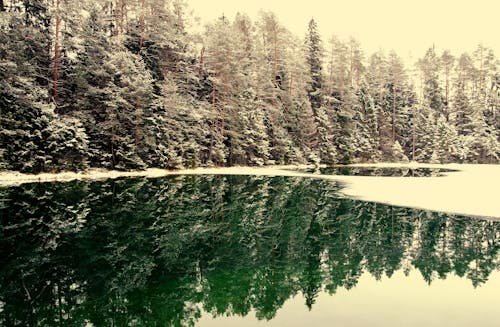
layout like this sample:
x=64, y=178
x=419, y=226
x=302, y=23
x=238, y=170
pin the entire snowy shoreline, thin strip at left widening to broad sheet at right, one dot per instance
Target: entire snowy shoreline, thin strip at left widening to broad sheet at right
x=472, y=190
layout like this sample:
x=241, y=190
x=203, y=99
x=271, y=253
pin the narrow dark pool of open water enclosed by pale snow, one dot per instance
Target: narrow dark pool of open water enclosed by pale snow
x=385, y=171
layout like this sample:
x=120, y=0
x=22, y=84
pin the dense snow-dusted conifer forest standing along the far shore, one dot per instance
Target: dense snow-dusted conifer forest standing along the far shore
x=129, y=84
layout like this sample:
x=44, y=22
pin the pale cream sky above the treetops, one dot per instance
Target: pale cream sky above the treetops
x=408, y=27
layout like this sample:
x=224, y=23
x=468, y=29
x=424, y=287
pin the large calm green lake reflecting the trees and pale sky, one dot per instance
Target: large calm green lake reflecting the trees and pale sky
x=237, y=250
